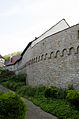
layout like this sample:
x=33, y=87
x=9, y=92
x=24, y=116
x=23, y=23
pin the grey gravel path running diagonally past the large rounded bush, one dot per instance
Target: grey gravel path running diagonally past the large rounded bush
x=33, y=111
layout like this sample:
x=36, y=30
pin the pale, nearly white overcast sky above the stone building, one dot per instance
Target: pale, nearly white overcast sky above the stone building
x=23, y=20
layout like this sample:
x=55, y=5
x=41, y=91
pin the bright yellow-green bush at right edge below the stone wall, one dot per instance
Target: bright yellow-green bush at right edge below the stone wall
x=73, y=97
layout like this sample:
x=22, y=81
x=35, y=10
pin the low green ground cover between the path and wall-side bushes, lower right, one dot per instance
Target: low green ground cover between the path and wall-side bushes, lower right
x=61, y=108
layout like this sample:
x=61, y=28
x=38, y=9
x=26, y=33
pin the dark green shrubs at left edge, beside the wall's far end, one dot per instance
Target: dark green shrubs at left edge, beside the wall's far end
x=11, y=80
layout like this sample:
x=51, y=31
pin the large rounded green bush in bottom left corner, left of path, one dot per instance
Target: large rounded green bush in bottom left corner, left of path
x=12, y=106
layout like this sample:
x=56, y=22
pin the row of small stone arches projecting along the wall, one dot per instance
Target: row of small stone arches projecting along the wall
x=53, y=54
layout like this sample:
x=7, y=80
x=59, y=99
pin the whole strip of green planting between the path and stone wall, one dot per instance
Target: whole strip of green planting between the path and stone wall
x=53, y=100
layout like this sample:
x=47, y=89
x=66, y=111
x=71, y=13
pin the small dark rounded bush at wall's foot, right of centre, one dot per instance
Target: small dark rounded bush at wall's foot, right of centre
x=50, y=92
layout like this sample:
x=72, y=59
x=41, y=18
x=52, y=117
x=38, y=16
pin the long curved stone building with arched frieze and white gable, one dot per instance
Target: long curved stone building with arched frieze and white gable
x=52, y=59
